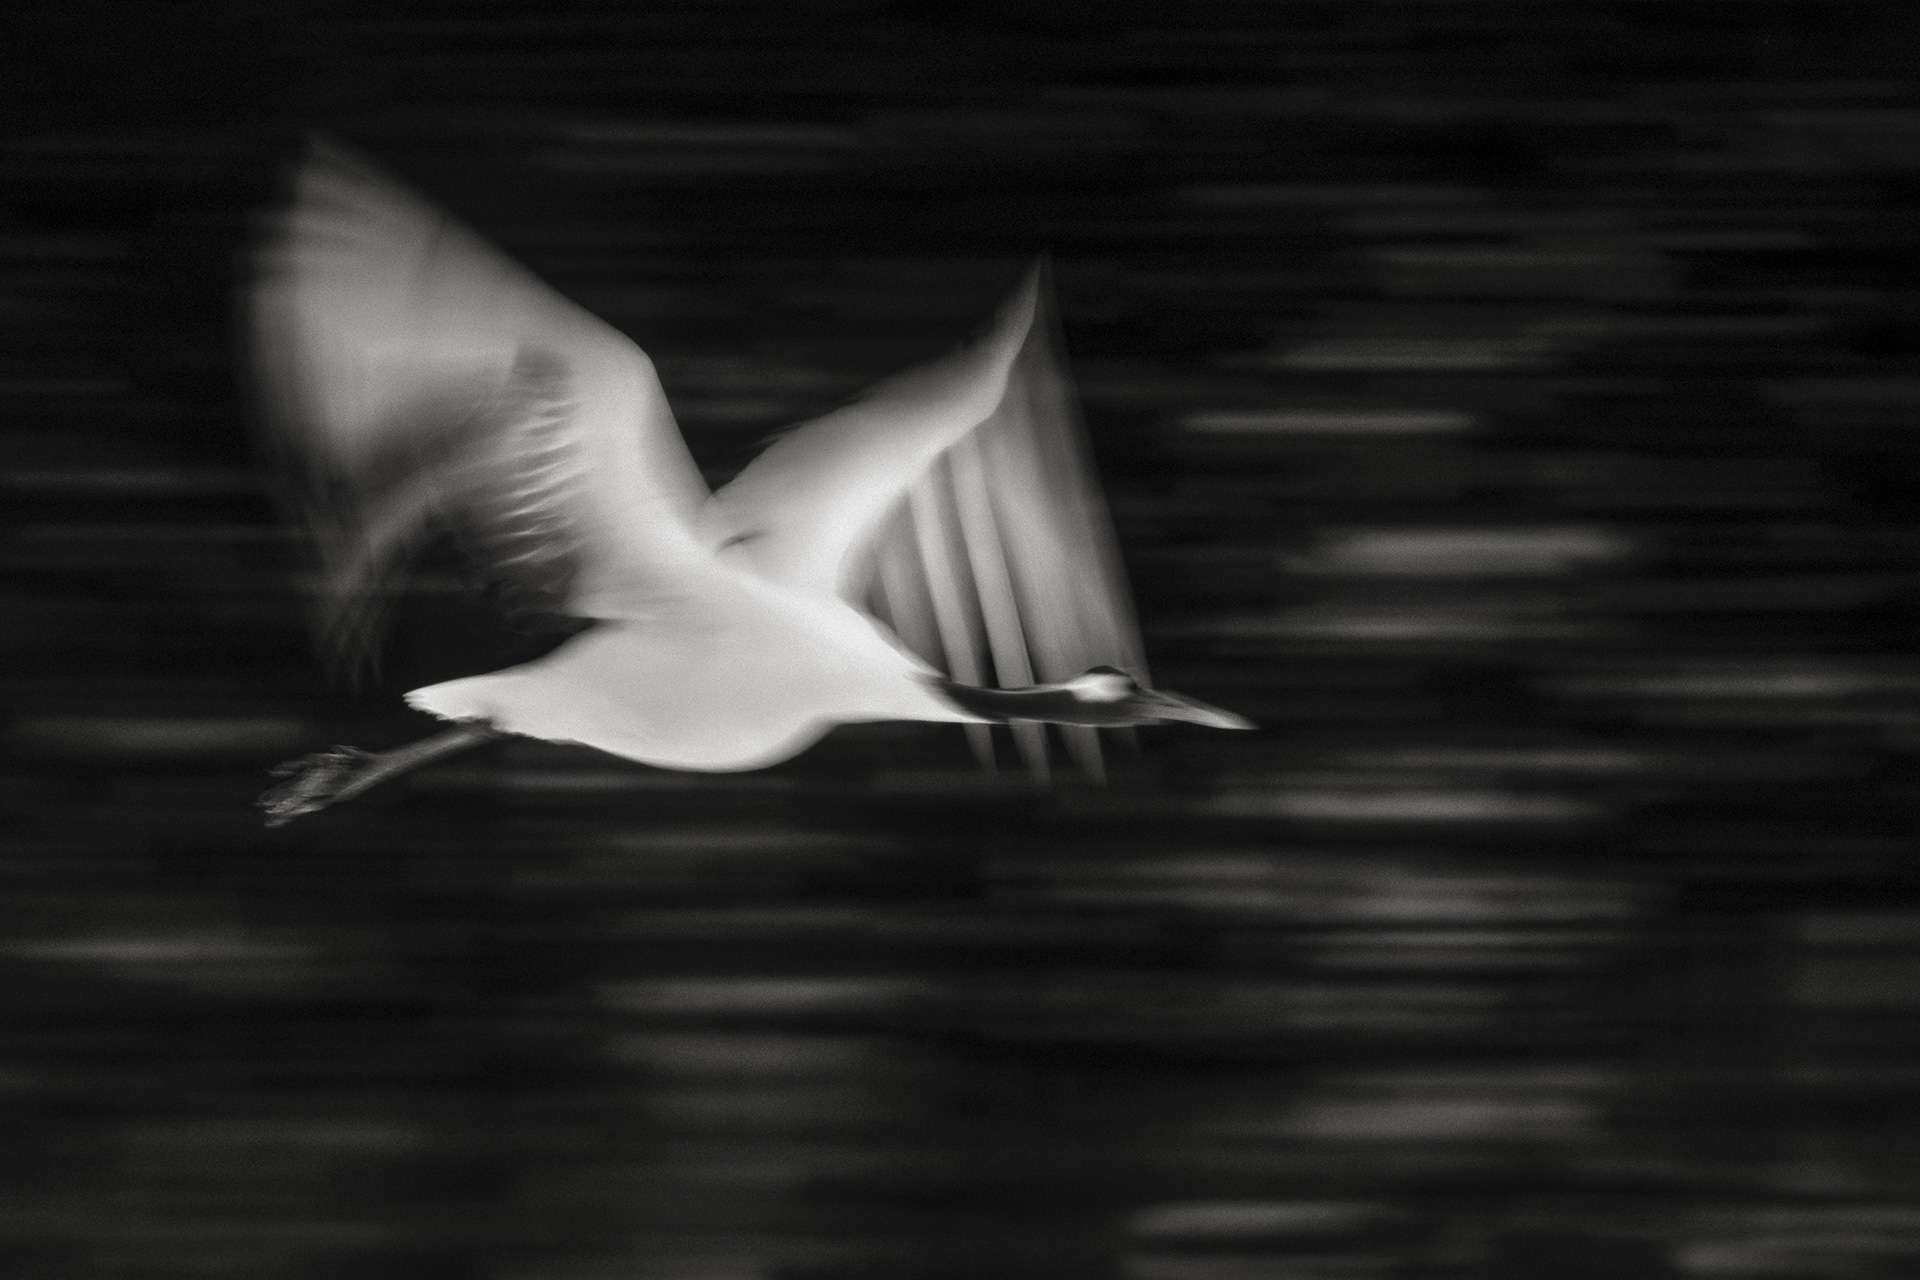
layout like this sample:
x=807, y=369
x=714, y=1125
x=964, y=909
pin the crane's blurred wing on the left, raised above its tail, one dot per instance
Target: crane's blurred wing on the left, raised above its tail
x=412, y=369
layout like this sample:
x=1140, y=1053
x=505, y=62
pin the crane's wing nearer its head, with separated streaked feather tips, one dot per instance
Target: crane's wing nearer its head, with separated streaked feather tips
x=961, y=504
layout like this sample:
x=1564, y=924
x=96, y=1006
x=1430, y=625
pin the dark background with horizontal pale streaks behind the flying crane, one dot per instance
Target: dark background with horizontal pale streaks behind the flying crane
x=1510, y=406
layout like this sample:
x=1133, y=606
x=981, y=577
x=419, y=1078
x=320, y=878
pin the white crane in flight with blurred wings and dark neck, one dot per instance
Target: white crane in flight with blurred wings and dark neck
x=936, y=550
